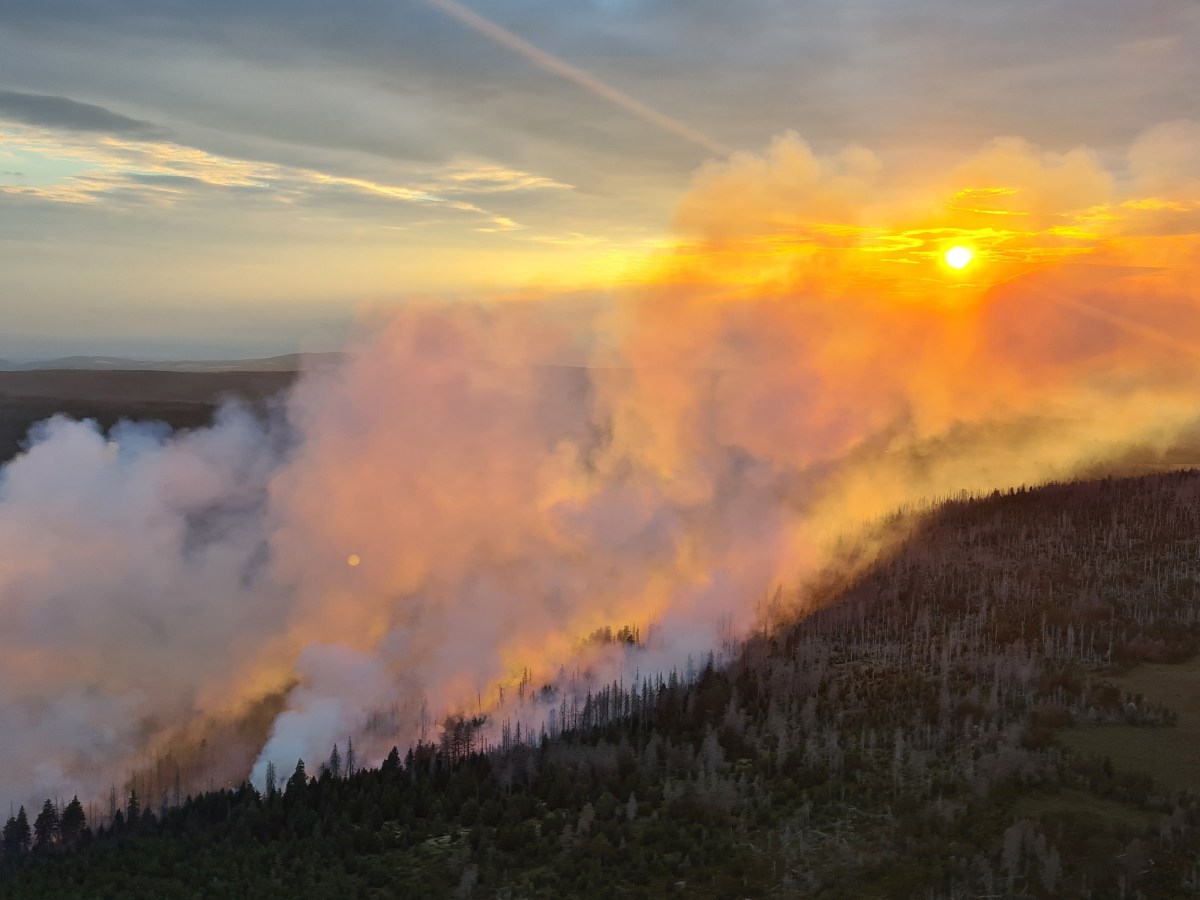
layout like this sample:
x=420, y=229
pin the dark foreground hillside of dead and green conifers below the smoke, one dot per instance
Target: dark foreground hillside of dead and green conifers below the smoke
x=928, y=734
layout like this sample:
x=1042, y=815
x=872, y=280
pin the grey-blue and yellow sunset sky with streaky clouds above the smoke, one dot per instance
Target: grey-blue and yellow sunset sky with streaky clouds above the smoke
x=238, y=179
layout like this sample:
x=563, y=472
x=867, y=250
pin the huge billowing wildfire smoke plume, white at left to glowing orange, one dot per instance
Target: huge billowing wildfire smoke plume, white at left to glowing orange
x=448, y=515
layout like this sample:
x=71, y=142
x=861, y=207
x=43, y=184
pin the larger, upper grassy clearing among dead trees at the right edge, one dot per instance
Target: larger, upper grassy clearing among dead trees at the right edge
x=1171, y=755
